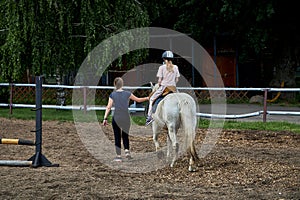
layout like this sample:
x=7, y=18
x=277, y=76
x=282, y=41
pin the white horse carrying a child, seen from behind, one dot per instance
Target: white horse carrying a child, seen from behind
x=176, y=110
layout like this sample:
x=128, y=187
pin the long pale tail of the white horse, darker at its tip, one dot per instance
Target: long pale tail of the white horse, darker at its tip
x=189, y=124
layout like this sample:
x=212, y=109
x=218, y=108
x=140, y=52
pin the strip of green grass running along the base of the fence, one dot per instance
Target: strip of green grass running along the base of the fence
x=67, y=115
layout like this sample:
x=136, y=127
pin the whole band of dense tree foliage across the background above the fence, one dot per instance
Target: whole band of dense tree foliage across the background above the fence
x=50, y=36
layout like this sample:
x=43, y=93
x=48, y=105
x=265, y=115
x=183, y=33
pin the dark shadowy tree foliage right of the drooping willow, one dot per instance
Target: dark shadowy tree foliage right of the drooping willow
x=256, y=28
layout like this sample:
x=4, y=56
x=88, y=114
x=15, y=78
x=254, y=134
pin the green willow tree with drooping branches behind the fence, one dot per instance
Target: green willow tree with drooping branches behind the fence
x=50, y=36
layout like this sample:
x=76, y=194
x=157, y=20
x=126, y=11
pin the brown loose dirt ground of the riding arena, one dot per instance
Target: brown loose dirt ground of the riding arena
x=242, y=165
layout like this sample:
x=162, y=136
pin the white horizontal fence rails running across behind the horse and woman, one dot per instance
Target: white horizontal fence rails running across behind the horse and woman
x=263, y=112
